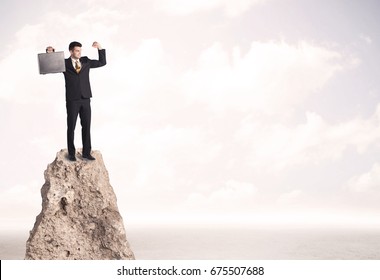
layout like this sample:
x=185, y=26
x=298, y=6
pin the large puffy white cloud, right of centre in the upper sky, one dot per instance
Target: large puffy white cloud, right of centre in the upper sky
x=270, y=77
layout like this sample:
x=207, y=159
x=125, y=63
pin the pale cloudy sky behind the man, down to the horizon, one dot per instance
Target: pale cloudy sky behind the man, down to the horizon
x=226, y=112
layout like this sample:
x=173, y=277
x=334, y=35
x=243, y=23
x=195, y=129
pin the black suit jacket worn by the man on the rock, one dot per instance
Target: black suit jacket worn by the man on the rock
x=78, y=85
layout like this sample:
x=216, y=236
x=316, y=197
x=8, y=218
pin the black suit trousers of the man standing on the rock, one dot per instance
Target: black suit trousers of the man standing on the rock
x=83, y=108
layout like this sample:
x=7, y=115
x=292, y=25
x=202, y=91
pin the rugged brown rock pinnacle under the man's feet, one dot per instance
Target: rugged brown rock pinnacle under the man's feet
x=79, y=218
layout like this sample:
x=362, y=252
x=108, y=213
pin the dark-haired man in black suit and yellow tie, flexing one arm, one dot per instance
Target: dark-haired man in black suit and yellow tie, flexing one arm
x=78, y=94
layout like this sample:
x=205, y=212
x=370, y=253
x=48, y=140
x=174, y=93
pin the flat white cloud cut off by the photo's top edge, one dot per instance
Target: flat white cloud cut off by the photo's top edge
x=183, y=7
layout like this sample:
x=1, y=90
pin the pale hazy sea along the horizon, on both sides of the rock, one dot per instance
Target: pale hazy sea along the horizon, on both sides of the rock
x=232, y=243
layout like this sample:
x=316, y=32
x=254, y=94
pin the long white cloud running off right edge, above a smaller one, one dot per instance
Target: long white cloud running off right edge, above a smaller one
x=279, y=146
